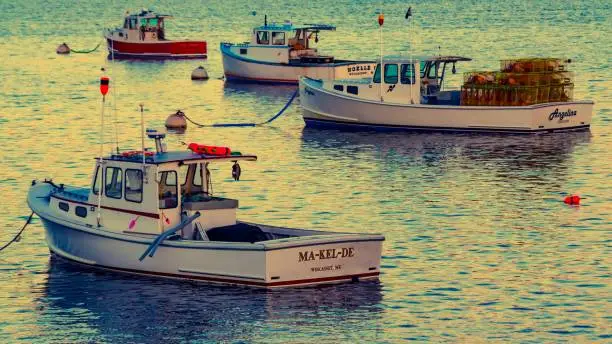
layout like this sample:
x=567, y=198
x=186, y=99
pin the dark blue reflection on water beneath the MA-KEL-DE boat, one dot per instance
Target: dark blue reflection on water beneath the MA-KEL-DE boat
x=124, y=308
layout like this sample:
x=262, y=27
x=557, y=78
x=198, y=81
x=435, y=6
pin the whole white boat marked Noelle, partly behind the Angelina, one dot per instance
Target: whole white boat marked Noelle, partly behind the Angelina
x=283, y=53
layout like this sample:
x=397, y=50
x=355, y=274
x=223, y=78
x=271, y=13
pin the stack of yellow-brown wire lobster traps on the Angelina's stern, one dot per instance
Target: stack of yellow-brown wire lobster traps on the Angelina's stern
x=520, y=82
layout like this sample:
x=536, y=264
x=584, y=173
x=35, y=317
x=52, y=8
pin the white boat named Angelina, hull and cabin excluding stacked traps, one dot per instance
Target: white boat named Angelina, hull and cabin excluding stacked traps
x=409, y=100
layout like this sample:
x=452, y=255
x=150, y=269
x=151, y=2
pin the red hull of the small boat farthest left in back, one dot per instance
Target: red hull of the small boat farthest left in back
x=192, y=49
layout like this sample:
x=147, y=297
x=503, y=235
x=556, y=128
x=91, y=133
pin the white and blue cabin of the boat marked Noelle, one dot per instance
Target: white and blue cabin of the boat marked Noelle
x=286, y=43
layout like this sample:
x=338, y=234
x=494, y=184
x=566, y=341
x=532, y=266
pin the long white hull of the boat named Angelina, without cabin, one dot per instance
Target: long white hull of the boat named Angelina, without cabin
x=323, y=108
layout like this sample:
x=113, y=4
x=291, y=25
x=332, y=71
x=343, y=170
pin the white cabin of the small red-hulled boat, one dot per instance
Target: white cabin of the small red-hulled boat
x=144, y=26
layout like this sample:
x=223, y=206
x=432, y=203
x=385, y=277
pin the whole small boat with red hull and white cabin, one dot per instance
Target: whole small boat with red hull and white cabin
x=143, y=36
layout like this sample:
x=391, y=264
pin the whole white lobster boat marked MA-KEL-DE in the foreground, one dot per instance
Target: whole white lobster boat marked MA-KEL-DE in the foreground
x=148, y=223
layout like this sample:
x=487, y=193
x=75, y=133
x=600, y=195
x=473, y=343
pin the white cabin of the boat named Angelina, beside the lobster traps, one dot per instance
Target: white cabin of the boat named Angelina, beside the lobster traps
x=405, y=81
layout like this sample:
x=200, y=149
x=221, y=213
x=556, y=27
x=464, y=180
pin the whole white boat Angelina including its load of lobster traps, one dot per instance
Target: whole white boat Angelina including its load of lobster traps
x=525, y=96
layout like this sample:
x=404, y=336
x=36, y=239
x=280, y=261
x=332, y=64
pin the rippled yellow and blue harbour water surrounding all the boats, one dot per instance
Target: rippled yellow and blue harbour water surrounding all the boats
x=479, y=246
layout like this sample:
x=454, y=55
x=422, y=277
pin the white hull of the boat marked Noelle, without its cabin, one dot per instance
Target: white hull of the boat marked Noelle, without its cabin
x=237, y=68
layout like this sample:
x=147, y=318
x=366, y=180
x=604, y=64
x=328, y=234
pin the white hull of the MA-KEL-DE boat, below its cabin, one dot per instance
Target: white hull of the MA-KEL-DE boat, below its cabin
x=296, y=261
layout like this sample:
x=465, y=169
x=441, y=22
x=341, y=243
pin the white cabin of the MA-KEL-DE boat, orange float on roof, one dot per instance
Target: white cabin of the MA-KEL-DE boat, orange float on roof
x=151, y=194
